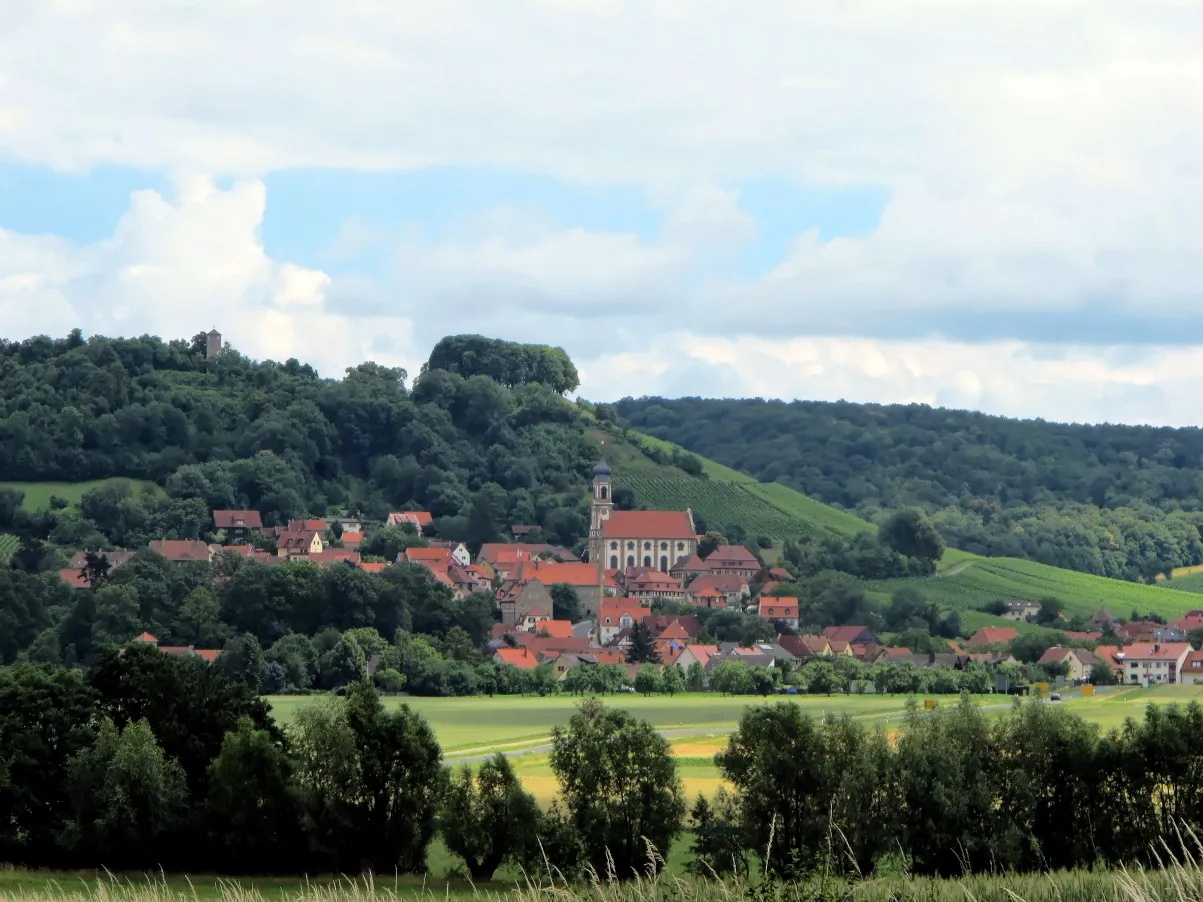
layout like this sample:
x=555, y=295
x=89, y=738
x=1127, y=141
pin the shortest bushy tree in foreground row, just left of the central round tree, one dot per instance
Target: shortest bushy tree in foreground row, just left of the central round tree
x=489, y=820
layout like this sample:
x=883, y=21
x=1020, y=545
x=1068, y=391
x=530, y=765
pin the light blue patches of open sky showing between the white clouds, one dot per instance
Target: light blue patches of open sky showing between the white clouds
x=307, y=210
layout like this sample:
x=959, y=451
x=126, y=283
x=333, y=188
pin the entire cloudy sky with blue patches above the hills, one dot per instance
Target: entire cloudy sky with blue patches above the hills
x=958, y=203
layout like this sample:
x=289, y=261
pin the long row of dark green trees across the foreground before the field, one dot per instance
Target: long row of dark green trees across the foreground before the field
x=149, y=761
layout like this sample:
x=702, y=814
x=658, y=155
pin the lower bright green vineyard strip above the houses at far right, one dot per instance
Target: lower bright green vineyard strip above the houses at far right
x=969, y=583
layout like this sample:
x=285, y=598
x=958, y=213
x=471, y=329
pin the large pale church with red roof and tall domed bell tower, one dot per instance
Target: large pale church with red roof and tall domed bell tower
x=637, y=538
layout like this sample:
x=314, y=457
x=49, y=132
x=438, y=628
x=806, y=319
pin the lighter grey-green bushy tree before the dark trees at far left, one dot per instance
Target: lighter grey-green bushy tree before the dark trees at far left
x=128, y=798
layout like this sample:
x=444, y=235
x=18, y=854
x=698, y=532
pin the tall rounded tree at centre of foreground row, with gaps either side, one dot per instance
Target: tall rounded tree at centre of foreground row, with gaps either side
x=620, y=785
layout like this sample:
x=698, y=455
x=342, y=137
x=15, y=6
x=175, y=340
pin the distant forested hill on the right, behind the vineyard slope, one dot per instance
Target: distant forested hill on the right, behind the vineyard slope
x=1118, y=501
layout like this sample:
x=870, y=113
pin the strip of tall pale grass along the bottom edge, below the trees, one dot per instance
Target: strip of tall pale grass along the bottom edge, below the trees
x=1178, y=883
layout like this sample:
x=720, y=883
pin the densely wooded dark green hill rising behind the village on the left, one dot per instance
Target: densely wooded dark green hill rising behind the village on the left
x=484, y=431
